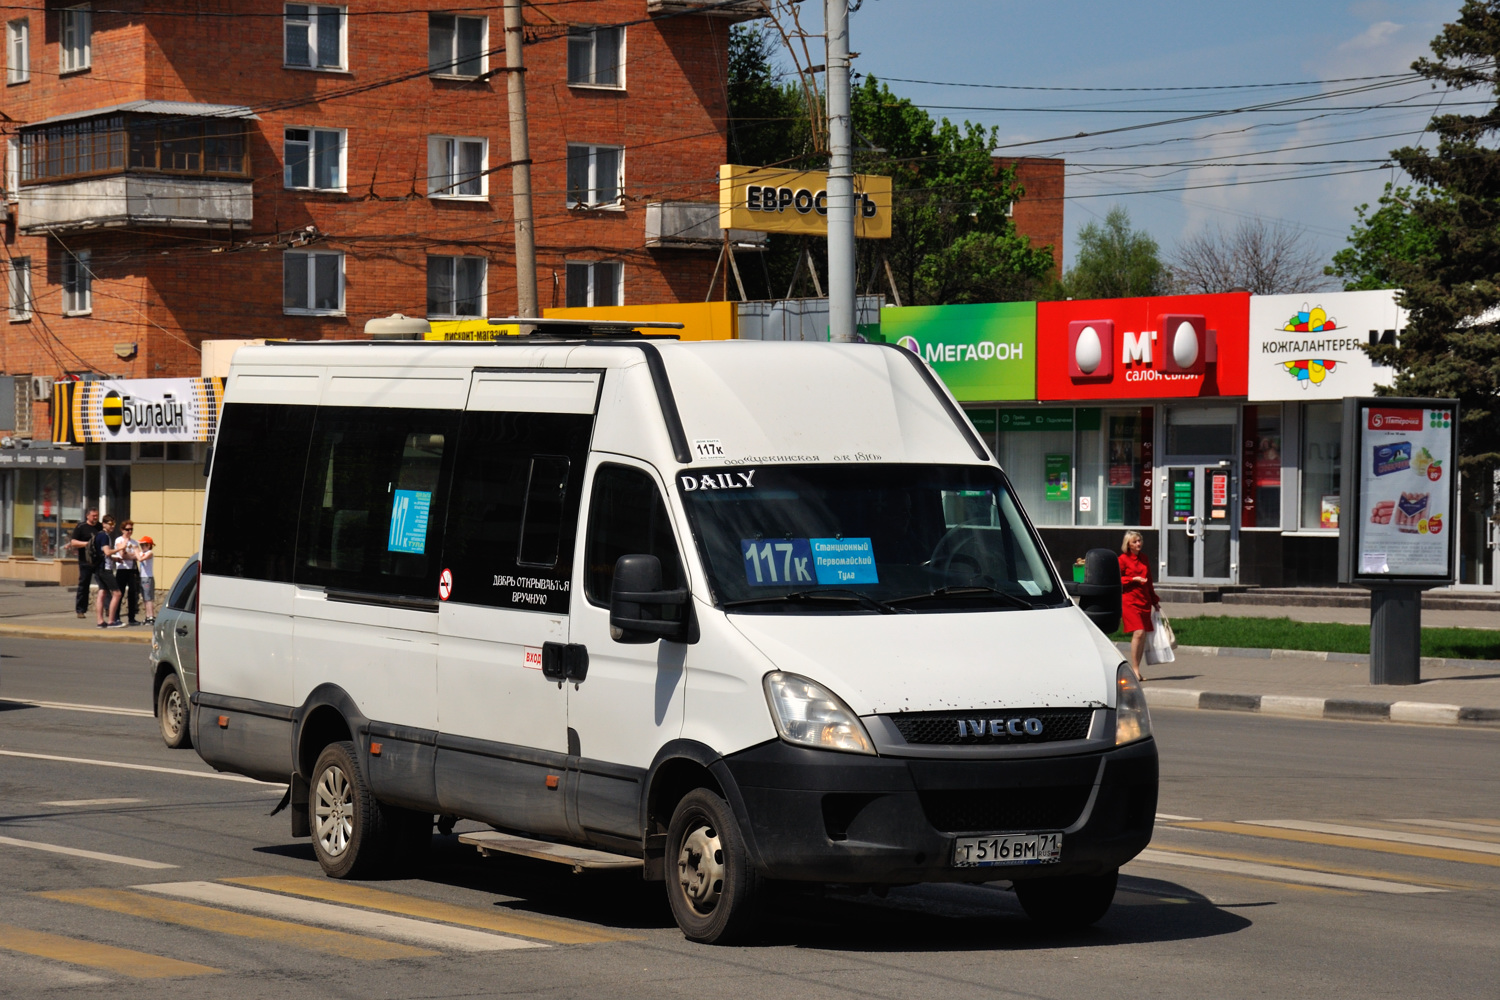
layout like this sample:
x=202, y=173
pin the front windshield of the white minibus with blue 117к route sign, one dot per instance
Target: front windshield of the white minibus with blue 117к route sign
x=865, y=539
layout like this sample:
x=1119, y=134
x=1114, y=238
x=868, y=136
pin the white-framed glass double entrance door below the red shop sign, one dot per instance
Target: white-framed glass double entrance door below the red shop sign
x=1199, y=533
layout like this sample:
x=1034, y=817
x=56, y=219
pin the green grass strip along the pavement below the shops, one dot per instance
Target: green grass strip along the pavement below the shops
x=1283, y=633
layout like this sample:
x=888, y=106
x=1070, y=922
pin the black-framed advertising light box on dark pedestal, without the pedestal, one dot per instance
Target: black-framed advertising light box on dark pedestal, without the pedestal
x=1400, y=491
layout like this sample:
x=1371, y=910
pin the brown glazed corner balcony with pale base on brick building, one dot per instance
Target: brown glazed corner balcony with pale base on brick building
x=142, y=164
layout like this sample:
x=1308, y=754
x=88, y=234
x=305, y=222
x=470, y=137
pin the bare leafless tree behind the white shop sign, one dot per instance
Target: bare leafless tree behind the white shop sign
x=1265, y=259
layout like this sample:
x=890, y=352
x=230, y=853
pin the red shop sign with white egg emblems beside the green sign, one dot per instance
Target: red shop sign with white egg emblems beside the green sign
x=1142, y=349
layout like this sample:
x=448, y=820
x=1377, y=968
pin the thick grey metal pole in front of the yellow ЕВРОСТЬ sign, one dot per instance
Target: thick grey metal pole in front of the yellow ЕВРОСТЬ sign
x=841, y=178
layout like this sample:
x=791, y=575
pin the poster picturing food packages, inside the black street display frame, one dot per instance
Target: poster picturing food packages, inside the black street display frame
x=1406, y=522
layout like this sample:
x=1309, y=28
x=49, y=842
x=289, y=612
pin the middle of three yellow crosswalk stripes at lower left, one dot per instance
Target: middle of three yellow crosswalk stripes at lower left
x=205, y=918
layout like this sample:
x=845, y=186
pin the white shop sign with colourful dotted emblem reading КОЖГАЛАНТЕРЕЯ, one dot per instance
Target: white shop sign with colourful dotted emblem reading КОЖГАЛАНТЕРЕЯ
x=1312, y=347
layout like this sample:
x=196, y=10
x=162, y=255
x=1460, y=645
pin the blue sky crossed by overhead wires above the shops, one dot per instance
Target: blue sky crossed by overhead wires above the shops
x=1174, y=44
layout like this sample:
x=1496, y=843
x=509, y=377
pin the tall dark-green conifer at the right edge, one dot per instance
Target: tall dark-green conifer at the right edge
x=1451, y=280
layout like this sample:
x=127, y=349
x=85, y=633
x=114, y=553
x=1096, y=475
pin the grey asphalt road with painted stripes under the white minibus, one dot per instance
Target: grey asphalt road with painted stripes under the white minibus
x=1292, y=858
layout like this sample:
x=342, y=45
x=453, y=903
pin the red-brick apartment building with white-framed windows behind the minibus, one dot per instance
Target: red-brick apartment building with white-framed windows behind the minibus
x=181, y=172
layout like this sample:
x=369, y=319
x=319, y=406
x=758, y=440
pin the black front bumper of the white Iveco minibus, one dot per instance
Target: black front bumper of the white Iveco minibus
x=820, y=816
